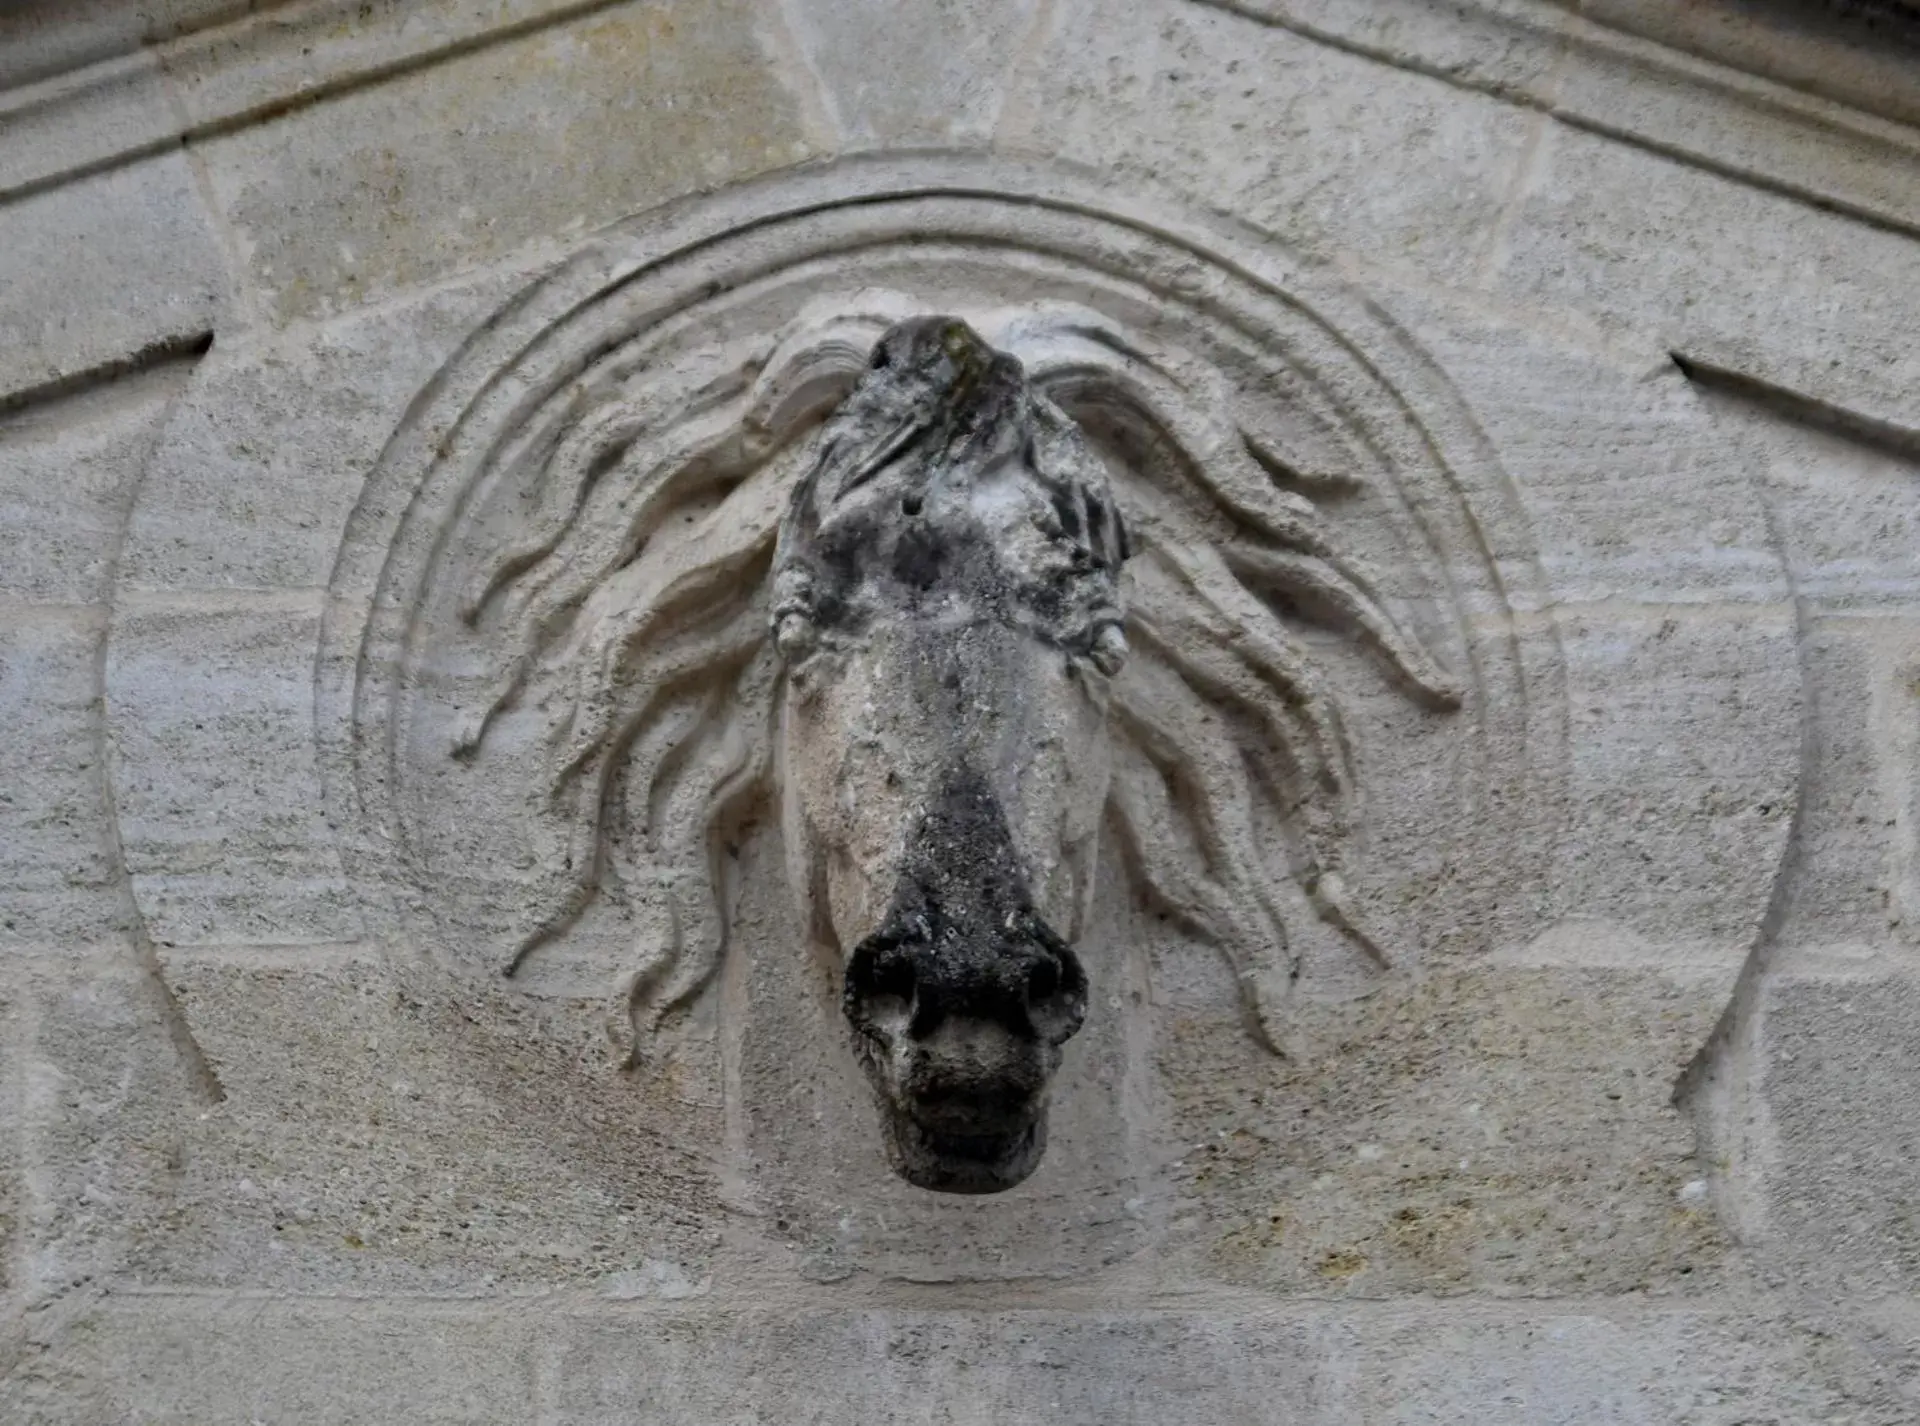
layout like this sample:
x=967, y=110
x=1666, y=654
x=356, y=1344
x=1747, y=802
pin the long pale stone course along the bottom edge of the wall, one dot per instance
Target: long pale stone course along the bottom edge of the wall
x=216, y=1362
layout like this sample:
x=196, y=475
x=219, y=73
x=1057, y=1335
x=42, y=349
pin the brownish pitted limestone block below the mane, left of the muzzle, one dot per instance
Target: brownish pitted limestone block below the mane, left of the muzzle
x=393, y=1133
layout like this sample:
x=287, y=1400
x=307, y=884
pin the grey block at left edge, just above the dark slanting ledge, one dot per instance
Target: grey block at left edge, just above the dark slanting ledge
x=103, y=268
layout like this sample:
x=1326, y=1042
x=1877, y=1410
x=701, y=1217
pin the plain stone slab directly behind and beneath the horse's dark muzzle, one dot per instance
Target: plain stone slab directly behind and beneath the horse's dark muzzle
x=1092, y=1202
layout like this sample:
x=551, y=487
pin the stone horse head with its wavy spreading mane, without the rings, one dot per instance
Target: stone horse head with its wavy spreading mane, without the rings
x=875, y=577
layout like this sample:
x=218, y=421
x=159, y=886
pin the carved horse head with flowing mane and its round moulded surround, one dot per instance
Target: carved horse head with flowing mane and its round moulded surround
x=982, y=548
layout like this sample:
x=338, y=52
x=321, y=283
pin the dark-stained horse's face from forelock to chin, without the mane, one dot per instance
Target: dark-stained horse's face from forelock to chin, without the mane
x=946, y=602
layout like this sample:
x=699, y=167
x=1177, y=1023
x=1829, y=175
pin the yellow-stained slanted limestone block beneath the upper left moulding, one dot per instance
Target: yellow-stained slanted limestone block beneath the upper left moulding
x=565, y=130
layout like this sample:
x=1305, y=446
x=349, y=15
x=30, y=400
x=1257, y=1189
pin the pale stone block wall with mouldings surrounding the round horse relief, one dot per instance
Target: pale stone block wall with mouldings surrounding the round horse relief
x=1668, y=260
